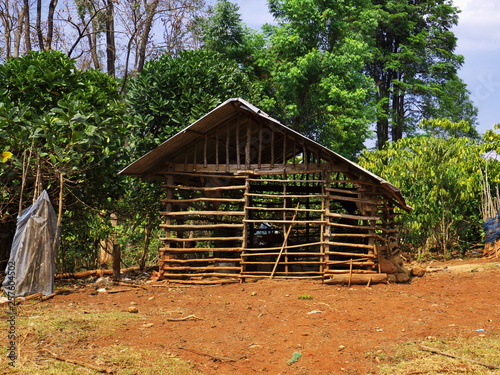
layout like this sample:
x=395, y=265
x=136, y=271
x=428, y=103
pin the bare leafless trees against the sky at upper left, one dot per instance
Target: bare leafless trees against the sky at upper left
x=120, y=36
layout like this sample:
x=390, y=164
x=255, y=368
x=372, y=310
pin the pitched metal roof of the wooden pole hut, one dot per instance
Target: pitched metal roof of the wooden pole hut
x=232, y=109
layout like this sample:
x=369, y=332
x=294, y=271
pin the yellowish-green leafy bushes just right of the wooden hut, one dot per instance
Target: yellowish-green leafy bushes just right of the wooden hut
x=441, y=179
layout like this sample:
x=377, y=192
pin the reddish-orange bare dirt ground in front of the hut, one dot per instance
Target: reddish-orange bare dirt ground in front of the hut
x=299, y=327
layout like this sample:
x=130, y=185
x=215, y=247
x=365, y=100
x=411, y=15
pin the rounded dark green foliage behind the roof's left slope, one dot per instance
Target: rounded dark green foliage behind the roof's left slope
x=173, y=92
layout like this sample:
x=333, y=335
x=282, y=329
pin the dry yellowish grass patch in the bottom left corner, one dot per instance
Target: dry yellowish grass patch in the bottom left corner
x=70, y=334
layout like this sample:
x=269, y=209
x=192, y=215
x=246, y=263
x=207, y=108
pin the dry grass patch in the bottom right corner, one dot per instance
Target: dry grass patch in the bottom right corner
x=410, y=358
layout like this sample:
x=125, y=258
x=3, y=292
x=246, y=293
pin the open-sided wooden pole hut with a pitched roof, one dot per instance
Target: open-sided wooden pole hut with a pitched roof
x=247, y=197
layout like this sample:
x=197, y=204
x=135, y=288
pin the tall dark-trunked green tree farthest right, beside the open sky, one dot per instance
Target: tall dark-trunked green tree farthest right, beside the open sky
x=414, y=67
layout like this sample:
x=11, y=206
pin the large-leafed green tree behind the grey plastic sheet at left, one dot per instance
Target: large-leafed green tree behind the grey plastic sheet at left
x=64, y=127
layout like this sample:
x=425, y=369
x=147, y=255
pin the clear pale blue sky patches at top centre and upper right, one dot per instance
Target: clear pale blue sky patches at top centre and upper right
x=478, y=34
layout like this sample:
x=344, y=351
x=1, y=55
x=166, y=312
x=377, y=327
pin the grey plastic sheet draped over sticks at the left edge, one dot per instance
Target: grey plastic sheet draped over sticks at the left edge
x=33, y=252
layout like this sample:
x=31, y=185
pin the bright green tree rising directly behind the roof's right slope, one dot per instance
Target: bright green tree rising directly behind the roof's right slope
x=315, y=62
